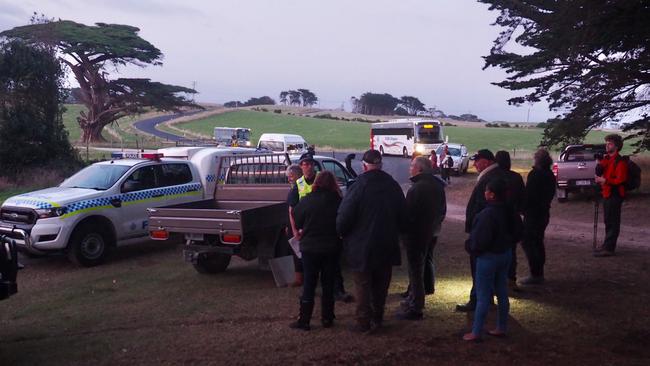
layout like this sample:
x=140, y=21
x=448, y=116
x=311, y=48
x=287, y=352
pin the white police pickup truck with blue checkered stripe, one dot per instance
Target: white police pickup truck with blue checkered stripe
x=105, y=204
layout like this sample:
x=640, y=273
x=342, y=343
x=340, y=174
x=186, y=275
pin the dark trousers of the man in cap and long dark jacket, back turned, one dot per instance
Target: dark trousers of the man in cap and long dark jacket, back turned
x=371, y=289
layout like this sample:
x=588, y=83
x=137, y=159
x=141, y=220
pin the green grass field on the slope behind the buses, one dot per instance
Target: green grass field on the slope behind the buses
x=355, y=135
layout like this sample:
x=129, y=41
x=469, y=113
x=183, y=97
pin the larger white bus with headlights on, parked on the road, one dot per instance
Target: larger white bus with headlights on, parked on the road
x=405, y=136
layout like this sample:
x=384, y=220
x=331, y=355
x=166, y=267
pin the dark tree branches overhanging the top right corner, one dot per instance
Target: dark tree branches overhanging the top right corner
x=589, y=59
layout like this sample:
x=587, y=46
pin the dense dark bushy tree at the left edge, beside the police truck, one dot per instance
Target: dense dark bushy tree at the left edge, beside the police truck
x=31, y=99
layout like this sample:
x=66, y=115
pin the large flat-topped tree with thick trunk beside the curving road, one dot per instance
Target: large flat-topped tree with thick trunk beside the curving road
x=89, y=52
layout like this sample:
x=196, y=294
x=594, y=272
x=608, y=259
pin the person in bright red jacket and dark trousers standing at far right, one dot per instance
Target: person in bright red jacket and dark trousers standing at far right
x=615, y=174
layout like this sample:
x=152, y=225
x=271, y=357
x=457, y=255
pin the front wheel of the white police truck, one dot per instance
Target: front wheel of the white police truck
x=88, y=246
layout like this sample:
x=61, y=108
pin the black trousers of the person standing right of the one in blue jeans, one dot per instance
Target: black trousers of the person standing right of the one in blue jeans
x=535, y=224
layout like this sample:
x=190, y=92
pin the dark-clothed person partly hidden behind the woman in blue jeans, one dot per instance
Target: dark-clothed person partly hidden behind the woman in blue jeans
x=515, y=195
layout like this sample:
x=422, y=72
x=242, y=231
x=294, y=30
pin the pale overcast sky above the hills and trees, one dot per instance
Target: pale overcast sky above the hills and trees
x=237, y=49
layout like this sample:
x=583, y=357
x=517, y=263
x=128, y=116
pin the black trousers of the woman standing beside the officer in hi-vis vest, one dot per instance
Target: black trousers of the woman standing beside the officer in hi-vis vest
x=321, y=265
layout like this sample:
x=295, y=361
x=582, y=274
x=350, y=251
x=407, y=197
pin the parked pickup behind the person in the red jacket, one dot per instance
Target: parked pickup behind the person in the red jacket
x=575, y=169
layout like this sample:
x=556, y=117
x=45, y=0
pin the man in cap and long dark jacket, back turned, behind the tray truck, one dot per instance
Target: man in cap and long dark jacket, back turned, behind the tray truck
x=370, y=219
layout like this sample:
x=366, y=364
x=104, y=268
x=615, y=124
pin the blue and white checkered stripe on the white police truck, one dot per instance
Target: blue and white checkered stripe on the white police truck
x=130, y=198
